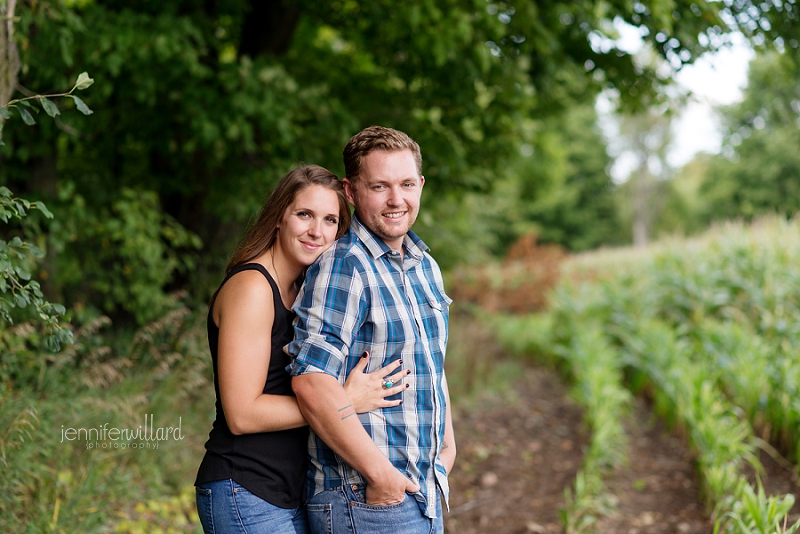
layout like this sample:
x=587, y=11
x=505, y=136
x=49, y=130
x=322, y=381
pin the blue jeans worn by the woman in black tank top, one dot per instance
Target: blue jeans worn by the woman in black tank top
x=225, y=507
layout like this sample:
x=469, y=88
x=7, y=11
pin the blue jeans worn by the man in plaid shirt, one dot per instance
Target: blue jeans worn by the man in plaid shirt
x=344, y=511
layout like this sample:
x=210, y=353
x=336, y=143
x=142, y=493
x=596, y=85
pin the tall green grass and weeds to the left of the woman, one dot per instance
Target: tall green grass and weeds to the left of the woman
x=52, y=483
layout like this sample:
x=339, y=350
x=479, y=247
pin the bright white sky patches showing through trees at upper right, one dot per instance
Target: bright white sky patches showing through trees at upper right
x=714, y=80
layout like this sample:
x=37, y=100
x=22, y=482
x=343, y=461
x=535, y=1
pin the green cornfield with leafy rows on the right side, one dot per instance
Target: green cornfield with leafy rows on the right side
x=709, y=329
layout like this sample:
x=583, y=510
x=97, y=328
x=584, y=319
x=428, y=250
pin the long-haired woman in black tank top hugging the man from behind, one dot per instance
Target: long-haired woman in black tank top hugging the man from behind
x=253, y=474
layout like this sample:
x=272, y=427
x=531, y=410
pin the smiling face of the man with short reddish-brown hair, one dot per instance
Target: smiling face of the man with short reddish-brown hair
x=386, y=194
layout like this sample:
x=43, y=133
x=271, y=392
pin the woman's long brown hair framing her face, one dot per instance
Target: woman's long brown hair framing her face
x=262, y=234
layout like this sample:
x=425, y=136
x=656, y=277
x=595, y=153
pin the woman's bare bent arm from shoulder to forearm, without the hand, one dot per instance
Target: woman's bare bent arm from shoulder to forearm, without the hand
x=244, y=312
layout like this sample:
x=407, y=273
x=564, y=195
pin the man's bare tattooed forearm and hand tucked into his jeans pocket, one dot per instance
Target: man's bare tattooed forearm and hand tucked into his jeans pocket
x=328, y=410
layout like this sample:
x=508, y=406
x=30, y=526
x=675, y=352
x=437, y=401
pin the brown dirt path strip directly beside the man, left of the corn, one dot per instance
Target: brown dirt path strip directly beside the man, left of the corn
x=515, y=457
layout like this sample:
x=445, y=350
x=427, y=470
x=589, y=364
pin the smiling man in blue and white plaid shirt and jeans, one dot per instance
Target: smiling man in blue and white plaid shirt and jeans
x=376, y=290
